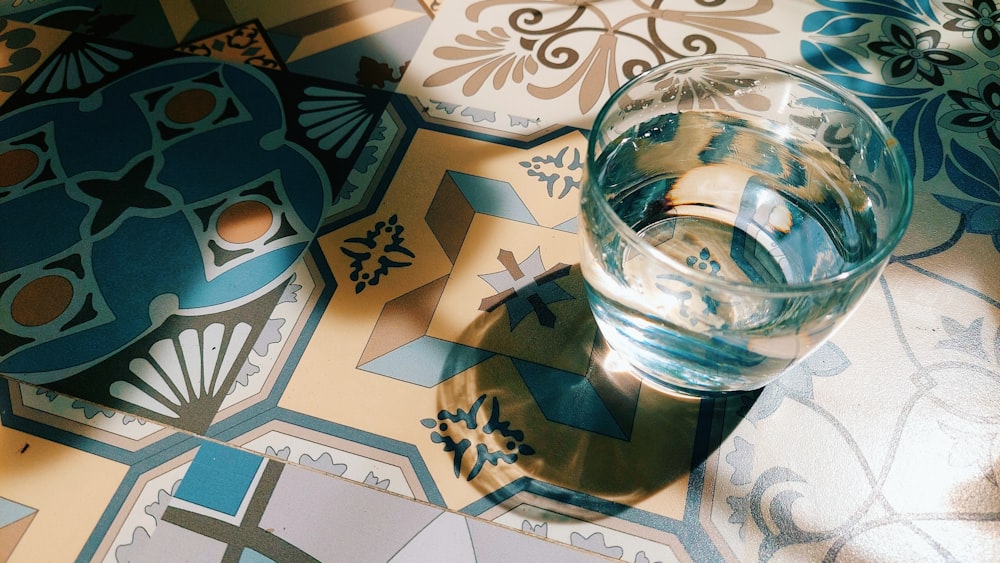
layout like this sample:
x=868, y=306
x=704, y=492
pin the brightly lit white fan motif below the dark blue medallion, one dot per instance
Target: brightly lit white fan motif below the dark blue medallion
x=180, y=371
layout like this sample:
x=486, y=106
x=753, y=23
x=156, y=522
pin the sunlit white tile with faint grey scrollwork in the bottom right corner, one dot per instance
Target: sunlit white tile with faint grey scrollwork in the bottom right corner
x=914, y=444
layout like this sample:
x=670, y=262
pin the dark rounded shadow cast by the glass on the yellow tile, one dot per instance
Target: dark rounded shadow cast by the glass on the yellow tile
x=572, y=415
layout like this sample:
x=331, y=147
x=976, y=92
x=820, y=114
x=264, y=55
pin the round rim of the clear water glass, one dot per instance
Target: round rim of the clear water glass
x=892, y=148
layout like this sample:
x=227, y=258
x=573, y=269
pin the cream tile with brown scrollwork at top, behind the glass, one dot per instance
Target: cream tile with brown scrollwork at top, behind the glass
x=562, y=59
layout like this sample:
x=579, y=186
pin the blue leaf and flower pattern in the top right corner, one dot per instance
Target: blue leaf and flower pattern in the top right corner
x=907, y=61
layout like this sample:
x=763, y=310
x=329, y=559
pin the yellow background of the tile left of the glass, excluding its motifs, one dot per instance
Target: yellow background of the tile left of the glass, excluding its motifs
x=328, y=383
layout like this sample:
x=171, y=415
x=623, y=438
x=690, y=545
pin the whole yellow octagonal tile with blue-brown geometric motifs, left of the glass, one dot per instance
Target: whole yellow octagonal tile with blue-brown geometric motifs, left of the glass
x=443, y=291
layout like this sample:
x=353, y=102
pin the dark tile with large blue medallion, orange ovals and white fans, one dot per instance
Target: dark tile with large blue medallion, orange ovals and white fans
x=167, y=353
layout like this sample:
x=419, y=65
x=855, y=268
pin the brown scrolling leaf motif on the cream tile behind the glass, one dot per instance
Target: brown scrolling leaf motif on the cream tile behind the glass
x=549, y=51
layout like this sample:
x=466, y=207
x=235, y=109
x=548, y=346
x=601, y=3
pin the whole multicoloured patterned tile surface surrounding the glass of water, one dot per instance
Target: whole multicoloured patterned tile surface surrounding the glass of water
x=412, y=343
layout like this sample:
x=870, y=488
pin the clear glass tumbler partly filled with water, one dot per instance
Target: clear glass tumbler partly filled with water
x=735, y=210
